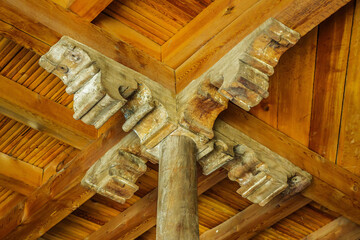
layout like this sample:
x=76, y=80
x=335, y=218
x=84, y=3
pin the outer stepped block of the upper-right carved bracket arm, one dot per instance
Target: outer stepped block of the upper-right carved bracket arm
x=242, y=75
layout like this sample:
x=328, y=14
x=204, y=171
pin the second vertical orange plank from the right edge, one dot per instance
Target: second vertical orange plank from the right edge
x=331, y=64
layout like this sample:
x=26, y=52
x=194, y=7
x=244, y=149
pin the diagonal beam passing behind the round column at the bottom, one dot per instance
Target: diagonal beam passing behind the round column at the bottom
x=141, y=216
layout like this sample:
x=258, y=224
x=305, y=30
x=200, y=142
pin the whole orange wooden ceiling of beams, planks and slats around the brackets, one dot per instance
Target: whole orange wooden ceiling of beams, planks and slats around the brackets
x=311, y=116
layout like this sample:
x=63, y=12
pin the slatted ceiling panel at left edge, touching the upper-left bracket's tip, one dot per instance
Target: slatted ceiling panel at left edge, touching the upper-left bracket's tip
x=21, y=65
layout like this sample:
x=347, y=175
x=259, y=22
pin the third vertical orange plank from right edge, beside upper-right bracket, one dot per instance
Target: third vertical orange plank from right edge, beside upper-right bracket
x=295, y=83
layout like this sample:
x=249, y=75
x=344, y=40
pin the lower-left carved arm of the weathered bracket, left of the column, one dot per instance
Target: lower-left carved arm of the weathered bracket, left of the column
x=115, y=174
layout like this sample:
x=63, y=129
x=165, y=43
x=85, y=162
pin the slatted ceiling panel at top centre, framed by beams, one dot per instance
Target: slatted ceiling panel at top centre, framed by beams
x=157, y=20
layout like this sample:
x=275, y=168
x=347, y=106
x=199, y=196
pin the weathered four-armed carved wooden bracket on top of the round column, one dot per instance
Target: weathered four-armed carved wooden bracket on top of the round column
x=102, y=86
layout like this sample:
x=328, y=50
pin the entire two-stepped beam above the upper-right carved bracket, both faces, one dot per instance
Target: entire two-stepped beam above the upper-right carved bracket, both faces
x=193, y=57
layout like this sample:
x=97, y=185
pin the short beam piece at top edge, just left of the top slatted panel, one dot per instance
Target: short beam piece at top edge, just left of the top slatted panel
x=89, y=10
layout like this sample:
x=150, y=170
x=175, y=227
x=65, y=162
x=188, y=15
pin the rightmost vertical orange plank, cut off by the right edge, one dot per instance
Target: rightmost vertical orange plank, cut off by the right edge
x=349, y=144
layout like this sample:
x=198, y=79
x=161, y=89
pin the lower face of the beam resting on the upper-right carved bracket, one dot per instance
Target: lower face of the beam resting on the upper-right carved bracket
x=220, y=44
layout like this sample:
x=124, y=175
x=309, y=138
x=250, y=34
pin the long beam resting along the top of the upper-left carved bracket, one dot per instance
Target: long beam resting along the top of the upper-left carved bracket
x=51, y=21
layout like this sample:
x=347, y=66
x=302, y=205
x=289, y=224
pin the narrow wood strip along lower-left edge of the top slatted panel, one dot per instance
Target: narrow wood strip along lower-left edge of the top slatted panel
x=127, y=34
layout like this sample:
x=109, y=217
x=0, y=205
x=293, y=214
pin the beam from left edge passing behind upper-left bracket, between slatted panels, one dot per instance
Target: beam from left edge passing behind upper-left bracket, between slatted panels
x=40, y=113
